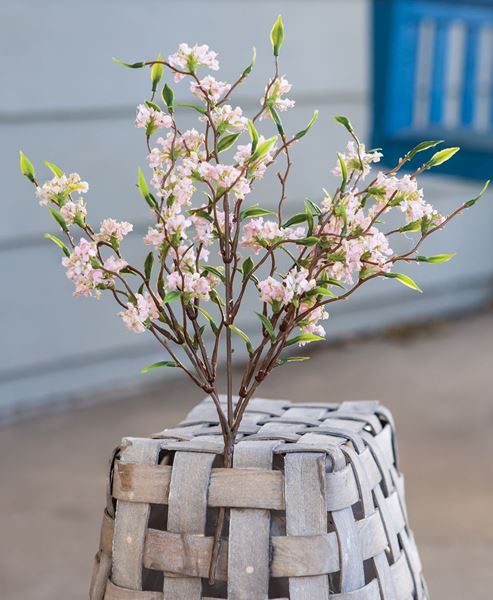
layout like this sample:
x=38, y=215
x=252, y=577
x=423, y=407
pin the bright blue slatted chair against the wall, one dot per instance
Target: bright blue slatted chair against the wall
x=433, y=79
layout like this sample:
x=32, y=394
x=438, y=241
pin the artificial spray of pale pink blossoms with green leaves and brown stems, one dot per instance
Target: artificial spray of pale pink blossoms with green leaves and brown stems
x=210, y=239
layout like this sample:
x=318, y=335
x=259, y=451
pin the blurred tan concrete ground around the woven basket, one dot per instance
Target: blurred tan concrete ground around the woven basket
x=436, y=381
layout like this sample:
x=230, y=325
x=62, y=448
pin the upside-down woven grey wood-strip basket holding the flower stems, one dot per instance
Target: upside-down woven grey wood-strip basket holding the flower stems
x=314, y=504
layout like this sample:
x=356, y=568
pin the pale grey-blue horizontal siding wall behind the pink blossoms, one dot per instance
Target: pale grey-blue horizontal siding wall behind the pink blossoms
x=64, y=100
